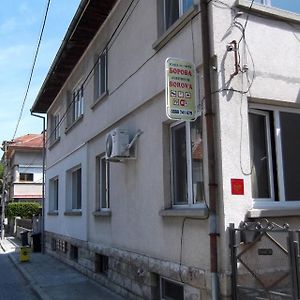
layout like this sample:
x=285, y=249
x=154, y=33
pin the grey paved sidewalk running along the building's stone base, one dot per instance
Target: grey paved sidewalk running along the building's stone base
x=52, y=279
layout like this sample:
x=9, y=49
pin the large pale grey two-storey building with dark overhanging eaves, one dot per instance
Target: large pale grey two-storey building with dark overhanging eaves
x=143, y=226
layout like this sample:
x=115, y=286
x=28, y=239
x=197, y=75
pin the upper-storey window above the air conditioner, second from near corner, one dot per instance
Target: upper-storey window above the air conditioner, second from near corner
x=101, y=76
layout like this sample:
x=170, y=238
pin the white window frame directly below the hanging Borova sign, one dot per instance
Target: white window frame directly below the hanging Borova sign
x=190, y=201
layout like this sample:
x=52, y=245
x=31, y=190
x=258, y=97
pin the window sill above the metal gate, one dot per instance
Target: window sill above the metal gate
x=273, y=212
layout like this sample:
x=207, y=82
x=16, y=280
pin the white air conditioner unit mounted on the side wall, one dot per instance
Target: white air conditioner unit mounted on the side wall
x=117, y=142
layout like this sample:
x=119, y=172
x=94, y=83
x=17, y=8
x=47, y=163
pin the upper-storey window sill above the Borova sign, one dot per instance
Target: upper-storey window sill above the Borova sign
x=175, y=28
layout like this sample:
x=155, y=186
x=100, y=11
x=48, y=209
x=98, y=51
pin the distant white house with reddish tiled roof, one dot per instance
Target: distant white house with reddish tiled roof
x=25, y=168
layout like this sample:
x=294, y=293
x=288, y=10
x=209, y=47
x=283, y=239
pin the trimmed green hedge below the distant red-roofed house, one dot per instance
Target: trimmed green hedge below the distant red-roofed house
x=23, y=209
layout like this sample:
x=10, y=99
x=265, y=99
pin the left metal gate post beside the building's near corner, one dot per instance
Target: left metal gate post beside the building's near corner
x=232, y=246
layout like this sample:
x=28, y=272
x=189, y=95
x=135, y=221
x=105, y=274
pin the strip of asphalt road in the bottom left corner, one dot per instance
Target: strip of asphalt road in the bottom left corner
x=12, y=284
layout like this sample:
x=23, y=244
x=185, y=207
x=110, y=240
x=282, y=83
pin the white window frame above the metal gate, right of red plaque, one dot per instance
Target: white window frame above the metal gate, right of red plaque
x=272, y=202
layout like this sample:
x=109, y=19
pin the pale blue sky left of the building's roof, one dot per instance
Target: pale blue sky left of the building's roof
x=20, y=26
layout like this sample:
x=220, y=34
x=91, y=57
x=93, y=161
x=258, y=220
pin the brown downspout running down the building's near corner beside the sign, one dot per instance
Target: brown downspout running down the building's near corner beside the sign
x=212, y=176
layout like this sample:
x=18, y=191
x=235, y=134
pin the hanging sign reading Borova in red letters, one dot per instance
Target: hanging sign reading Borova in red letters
x=180, y=89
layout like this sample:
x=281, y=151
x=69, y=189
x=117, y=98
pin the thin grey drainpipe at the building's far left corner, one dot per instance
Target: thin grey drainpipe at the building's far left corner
x=43, y=181
